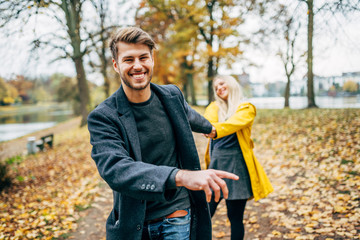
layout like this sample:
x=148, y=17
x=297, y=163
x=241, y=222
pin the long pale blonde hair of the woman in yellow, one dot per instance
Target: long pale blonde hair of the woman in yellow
x=235, y=97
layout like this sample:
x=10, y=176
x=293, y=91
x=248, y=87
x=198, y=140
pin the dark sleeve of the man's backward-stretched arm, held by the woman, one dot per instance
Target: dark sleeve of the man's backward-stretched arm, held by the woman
x=197, y=122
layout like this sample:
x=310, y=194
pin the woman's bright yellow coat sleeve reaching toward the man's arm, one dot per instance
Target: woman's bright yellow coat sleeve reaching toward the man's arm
x=243, y=118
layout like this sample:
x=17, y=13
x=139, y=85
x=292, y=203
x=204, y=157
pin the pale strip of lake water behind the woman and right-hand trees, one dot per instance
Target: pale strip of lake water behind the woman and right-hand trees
x=301, y=102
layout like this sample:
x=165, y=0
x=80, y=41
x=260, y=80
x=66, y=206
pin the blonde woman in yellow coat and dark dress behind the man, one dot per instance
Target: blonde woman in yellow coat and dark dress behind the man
x=232, y=150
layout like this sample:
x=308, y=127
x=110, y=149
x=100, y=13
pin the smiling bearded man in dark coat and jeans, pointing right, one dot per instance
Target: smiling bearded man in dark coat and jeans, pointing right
x=144, y=149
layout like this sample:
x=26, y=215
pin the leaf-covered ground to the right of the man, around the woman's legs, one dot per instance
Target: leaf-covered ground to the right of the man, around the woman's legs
x=312, y=159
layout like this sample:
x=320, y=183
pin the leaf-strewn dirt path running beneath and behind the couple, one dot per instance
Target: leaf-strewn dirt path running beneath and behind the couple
x=92, y=223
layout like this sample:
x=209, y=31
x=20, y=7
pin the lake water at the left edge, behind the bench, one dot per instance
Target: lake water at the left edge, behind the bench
x=14, y=125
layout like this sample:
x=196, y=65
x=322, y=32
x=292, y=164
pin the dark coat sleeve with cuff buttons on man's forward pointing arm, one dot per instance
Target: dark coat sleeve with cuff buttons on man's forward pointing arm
x=116, y=166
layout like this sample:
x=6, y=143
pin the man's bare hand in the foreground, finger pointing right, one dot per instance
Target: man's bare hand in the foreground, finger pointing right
x=205, y=180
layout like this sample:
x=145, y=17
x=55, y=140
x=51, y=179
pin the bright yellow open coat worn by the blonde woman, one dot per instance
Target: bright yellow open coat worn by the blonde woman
x=241, y=123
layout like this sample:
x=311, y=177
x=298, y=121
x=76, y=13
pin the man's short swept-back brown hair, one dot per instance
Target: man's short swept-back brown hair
x=130, y=35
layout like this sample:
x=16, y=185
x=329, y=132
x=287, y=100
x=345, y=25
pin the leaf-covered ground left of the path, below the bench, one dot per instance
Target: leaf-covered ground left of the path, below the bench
x=49, y=190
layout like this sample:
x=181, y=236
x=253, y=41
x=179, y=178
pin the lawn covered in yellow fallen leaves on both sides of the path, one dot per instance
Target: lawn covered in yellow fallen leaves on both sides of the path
x=311, y=157
